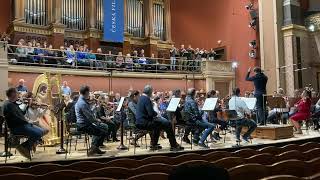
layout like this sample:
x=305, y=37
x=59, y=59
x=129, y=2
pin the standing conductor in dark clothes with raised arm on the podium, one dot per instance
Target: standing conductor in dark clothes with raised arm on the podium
x=260, y=83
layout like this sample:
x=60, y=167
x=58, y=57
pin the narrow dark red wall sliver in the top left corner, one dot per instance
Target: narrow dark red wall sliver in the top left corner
x=5, y=14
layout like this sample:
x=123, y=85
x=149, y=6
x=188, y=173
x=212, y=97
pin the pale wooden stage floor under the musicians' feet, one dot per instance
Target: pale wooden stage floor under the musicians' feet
x=49, y=154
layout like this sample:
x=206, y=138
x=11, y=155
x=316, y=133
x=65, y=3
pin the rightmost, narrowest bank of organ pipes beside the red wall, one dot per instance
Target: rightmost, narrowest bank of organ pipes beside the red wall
x=159, y=19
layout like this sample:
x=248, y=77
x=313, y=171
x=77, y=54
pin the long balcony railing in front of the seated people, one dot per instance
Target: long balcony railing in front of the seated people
x=66, y=58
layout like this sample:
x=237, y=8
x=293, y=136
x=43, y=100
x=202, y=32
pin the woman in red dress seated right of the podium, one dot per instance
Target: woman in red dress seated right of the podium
x=303, y=111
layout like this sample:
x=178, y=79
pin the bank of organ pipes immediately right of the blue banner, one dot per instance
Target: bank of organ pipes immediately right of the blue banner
x=135, y=19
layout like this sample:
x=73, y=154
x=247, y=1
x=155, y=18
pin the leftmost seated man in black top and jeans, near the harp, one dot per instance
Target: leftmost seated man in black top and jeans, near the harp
x=18, y=124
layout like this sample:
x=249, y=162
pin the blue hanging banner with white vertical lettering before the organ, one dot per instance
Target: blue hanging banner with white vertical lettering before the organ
x=113, y=20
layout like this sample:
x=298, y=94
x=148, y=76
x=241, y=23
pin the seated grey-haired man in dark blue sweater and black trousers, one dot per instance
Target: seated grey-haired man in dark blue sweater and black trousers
x=146, y=119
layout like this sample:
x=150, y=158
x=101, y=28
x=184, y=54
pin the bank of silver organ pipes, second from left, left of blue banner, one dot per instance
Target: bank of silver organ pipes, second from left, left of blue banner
x=74, y=14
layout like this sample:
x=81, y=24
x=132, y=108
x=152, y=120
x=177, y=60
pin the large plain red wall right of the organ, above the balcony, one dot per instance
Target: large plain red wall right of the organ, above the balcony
x=203, y=23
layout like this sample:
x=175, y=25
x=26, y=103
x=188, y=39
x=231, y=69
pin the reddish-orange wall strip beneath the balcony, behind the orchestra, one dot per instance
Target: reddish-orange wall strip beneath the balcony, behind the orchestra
x=121, y=85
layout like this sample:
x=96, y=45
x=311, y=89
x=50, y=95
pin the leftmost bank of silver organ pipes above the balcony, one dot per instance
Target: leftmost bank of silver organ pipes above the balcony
x=36, y=12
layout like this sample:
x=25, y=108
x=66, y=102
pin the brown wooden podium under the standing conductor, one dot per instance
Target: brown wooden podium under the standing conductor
x=273, y=132
